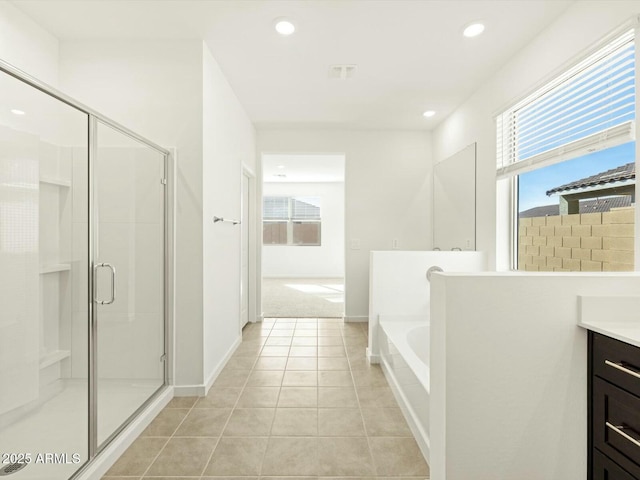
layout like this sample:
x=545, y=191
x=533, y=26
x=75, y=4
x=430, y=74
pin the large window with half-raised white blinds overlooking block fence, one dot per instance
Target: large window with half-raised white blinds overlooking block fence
x=570, y=150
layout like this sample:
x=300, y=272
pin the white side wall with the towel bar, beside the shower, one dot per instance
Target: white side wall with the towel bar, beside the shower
x=229, y=143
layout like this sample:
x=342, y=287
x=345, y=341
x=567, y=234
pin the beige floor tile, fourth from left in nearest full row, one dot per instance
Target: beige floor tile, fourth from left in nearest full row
x=288, y=456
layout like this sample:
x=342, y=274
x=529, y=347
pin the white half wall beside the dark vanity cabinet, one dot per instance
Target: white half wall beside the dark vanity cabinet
x=508, y=368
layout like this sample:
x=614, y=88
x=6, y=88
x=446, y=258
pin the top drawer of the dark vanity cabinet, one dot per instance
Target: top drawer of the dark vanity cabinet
x=617, y=362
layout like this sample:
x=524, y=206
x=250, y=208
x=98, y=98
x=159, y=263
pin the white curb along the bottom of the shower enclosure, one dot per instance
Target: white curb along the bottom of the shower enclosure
x=105, y=460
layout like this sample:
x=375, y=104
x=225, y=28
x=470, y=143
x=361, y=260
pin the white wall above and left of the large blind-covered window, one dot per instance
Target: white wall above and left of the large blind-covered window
x=579, y=27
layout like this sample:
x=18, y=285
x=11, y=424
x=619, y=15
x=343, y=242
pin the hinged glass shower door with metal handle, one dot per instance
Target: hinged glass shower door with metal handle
x=128, y=262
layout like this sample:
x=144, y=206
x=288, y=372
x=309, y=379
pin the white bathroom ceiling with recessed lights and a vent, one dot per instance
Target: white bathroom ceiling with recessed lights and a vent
x=411, y=54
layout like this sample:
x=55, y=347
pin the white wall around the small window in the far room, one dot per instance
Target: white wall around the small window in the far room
x=326, y=260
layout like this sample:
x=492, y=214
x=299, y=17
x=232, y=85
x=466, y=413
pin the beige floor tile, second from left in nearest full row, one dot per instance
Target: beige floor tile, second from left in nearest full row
x=183, y=456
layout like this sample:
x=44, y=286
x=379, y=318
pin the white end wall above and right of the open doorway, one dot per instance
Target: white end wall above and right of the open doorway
x=387, y=193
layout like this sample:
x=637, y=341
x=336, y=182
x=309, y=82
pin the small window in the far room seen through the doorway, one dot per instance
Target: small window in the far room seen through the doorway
x=291, y=220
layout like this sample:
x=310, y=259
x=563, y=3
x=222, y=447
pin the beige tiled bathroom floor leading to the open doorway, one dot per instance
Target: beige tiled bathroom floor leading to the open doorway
x=297, y=400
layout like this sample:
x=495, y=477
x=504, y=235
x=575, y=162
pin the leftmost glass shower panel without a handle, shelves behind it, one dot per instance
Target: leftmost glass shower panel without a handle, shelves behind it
x=44, y=314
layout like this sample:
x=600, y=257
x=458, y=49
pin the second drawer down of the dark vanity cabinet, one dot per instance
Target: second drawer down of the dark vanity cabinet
x=616, y=425
